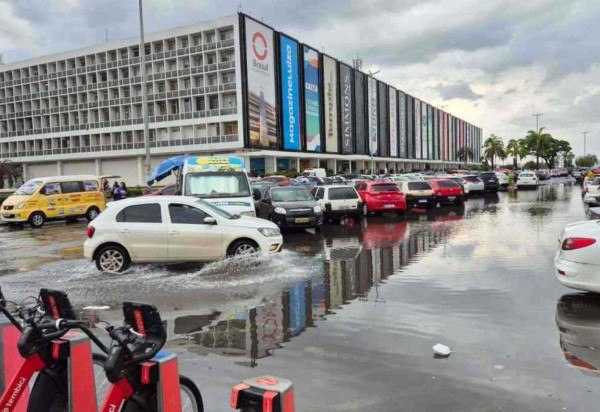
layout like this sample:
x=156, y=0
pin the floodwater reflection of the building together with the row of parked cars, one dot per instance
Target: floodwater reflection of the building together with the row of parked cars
x=355, y=258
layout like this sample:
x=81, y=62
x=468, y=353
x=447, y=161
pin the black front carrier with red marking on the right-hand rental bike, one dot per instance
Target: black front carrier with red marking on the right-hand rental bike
x=145, y=321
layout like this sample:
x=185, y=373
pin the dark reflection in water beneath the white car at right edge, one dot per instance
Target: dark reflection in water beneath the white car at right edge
x=578, y=322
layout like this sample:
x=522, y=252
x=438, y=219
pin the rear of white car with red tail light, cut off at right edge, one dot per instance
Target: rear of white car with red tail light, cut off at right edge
x=577, y=261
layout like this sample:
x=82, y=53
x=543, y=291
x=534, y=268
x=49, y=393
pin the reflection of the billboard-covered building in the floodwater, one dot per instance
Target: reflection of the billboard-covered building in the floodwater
x=349, y=272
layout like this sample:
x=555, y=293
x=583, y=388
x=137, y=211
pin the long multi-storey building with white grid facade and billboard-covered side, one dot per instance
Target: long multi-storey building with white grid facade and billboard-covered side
x=215, y=87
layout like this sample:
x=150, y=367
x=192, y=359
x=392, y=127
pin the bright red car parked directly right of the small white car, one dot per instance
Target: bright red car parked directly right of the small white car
x=381, y=197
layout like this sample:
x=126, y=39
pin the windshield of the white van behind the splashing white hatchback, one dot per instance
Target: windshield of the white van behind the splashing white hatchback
x=217, y=184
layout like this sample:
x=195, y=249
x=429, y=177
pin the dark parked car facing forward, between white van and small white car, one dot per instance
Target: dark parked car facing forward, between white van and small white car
x=290, y=207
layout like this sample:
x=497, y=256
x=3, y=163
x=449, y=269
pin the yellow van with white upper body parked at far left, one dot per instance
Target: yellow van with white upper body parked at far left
x=57, y=197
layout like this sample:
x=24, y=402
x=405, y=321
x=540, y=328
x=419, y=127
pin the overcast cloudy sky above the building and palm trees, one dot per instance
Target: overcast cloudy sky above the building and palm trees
x=491, y=62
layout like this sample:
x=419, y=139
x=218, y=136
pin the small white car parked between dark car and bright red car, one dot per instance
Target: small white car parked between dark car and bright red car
x=338, y=201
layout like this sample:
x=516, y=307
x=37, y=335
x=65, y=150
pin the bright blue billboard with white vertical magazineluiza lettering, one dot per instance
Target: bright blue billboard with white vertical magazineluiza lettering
x=290, y=94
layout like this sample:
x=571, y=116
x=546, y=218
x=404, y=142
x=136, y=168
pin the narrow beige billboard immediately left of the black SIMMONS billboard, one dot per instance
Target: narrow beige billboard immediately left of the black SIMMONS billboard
x=330, y=102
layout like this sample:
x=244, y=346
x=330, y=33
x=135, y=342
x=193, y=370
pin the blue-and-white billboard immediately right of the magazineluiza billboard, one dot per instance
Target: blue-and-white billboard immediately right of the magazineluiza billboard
x=312, y=100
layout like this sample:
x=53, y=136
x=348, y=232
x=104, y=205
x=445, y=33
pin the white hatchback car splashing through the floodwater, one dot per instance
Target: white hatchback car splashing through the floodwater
x=173, y=229
